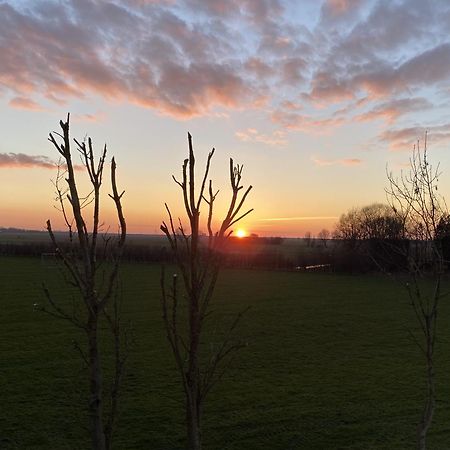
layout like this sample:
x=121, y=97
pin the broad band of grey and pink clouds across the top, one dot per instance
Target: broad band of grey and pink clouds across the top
x=230, y=55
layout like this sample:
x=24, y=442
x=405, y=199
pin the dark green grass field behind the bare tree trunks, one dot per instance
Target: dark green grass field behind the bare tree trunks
x=329, y=365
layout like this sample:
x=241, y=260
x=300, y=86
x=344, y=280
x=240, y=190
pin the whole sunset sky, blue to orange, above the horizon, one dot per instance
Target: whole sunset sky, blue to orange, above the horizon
x=317, y=99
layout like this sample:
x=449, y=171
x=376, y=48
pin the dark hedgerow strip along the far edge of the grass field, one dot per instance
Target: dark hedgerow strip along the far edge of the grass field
x=337, y=255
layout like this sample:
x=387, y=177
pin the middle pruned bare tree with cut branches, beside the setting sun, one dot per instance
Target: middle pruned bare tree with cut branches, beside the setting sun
x=199, y=263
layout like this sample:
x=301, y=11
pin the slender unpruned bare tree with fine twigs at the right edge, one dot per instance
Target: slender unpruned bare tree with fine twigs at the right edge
x=415, y=199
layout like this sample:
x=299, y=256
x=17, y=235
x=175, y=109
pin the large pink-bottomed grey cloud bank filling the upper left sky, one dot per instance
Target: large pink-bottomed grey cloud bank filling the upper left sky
x=62, y=59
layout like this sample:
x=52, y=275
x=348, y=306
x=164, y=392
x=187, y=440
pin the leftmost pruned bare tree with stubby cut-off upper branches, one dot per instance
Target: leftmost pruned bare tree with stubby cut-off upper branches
x=96, y=285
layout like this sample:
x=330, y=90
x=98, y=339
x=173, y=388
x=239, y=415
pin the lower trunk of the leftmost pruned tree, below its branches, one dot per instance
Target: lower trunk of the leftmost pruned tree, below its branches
x=95, y=384
